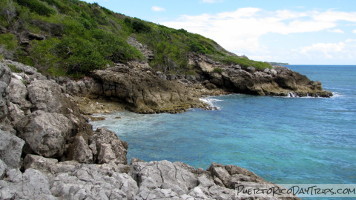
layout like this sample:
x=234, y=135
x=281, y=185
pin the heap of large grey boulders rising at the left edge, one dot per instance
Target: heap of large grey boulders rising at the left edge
x=49, y=124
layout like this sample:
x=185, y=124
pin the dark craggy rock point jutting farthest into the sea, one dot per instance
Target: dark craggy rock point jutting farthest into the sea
x=276, y=81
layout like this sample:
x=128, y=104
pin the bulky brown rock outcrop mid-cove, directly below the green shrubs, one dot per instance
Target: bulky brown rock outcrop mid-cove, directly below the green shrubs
x=143, y=91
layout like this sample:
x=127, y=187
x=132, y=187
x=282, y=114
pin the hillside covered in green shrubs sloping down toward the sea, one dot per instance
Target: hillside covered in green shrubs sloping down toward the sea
x=71, y=37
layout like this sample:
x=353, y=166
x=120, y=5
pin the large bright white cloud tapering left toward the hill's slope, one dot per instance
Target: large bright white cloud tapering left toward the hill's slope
x=240, y=30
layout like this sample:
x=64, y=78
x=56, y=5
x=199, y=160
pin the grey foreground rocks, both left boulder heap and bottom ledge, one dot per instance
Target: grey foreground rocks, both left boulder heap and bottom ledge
x=49, y=151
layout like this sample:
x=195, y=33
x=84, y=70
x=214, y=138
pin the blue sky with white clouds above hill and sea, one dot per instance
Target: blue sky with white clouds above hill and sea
x=292, y=31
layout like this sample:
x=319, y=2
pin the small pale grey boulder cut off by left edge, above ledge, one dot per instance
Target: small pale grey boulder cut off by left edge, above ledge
x=10, y=149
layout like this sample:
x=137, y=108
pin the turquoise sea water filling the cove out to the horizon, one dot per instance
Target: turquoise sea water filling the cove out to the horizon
x=284, y=140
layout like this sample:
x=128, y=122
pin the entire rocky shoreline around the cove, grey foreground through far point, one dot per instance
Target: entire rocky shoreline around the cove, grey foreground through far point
x=48, y=149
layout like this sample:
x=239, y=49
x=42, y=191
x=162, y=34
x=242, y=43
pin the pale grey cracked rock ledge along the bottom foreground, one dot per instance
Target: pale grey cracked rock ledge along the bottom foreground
x=50, y=179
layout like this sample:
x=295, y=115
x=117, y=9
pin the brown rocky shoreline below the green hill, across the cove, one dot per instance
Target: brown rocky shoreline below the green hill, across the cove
x=137, y=87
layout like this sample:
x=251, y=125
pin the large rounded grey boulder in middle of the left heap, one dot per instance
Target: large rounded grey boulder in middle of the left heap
x=45, y=133
